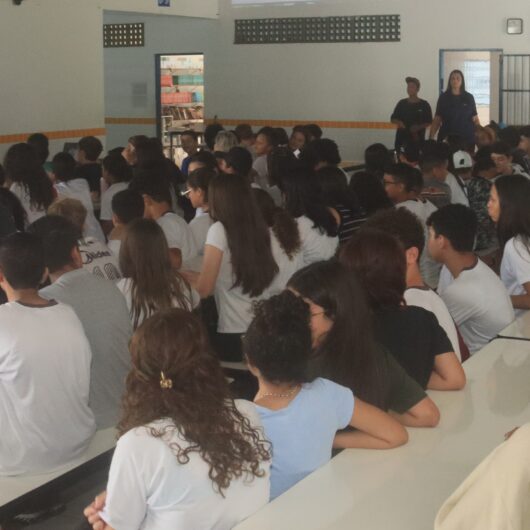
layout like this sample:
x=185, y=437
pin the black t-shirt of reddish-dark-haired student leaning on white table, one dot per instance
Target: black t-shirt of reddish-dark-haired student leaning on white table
x=414, y=337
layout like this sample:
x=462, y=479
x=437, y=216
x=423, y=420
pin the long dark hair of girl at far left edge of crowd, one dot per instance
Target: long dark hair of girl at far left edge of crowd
x=22, y=165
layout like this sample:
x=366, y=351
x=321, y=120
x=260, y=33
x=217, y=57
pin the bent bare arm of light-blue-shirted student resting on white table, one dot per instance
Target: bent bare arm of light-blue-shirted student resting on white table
x=376, y=429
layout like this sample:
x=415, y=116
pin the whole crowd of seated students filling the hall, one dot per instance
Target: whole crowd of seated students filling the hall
x=347, y=295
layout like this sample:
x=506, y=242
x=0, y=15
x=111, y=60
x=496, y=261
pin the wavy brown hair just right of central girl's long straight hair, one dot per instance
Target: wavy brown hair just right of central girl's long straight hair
x=283, y=225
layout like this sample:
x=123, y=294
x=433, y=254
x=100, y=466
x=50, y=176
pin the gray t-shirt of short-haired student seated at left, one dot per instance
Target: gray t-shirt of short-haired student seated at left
x=102, y=310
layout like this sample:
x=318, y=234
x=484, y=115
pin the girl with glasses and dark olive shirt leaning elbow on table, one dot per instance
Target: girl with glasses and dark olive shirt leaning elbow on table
x=344, y=347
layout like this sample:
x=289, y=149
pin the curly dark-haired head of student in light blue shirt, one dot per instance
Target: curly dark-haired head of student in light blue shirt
x=277, y=343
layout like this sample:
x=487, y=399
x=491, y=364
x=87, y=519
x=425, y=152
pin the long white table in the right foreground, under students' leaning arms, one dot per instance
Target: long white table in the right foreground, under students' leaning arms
x=402, y=489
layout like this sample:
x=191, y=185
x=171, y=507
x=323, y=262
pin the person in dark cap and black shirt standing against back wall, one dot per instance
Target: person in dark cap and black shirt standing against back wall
x=412, y=115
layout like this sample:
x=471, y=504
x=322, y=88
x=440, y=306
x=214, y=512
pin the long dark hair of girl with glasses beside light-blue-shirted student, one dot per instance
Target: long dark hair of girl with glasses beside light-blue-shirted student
x=348, y=354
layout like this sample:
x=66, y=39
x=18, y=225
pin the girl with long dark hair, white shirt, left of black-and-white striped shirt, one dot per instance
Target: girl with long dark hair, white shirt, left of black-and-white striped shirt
x=318, y=224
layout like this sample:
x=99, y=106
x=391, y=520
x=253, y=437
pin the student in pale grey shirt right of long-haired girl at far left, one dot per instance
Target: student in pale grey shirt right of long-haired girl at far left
x=69, y=186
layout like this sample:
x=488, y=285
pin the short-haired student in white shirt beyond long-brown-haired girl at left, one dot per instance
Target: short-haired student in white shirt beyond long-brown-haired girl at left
x=157, y=206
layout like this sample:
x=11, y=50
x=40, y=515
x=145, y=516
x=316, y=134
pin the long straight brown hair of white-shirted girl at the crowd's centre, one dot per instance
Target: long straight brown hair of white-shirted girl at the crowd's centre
x=232, y=203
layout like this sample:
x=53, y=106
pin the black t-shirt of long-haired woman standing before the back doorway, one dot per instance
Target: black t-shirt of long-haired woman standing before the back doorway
x=457, y=114
